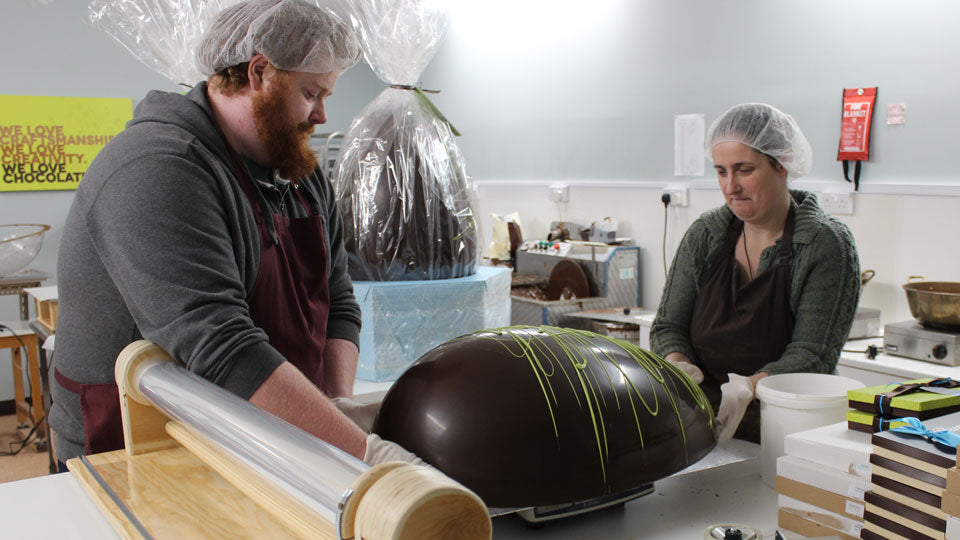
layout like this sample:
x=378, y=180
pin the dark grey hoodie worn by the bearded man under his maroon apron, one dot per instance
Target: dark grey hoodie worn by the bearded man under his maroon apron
x=161, y=243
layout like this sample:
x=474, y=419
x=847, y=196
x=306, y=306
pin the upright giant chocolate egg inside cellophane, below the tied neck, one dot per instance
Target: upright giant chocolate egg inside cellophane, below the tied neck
x=404, y=195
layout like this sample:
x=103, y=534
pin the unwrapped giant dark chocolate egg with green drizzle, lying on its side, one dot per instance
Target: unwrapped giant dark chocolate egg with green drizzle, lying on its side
x=532, y=416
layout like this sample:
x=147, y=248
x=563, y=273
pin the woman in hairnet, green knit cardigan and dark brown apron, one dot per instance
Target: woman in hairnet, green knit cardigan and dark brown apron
x=766, y=284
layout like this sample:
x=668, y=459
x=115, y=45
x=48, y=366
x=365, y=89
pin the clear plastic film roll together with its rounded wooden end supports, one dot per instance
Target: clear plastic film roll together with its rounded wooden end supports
x=316, y=488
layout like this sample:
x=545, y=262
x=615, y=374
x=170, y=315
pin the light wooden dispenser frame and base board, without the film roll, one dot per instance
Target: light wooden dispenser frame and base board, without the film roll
x=394, y=501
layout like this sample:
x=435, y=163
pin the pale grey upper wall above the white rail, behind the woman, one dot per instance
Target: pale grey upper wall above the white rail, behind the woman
x=591, y=92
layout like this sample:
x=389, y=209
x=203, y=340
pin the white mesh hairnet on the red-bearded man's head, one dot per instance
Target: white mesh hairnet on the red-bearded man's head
x=293, y=35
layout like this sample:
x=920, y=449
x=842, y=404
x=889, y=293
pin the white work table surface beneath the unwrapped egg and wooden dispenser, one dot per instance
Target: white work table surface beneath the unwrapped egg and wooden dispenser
x=56, y=508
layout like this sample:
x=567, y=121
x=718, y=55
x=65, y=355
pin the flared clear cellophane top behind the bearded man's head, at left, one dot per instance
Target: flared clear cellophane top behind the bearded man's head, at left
x=163, y=34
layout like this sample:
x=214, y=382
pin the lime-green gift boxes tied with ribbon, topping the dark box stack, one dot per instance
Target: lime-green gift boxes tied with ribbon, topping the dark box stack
x=874, y=412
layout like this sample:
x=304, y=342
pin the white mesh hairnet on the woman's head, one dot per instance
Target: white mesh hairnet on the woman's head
x=767, y=130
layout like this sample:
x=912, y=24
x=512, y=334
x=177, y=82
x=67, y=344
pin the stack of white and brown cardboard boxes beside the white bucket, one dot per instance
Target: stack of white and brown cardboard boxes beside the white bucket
x=822, y=482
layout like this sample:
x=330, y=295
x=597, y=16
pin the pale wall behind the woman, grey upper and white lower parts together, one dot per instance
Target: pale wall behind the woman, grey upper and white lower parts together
x=588, y=98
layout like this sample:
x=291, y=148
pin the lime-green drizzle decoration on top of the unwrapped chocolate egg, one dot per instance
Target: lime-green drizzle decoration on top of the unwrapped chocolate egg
x=583, y=352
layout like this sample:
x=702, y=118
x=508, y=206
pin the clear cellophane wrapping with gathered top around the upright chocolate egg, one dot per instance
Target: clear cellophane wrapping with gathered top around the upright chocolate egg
x=401, y=183
